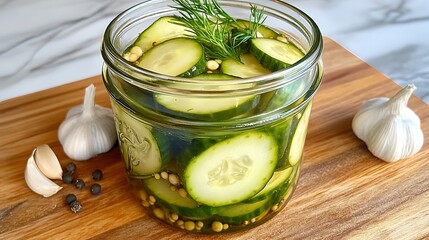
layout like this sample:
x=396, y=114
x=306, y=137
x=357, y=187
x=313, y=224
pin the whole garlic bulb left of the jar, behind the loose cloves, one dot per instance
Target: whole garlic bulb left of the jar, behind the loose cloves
x=88, y=129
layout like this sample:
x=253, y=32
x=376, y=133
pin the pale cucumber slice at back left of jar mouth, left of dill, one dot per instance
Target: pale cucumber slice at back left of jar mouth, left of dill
x=161, y=30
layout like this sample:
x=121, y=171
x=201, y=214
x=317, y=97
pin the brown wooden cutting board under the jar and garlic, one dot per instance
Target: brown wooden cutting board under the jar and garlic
x=344, y=192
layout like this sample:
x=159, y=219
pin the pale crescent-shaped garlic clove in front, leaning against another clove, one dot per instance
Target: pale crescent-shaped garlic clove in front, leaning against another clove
x=38, y=182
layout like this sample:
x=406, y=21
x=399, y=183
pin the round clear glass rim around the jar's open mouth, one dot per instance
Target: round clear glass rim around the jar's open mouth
x=135, y=74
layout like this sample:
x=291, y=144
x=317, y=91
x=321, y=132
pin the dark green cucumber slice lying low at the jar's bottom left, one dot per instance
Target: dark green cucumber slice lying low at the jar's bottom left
x=184, y=206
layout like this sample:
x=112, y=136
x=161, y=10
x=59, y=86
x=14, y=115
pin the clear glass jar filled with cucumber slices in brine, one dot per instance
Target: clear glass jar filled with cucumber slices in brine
x=222, y=155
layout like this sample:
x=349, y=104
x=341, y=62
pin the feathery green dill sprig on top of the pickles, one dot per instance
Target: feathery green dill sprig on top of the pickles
x=219, y=33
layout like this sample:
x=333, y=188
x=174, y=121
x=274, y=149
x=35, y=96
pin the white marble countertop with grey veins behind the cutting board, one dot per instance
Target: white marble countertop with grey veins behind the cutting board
x=46, y=43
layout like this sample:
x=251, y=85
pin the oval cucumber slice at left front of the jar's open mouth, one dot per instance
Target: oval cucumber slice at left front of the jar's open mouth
x=182, y=57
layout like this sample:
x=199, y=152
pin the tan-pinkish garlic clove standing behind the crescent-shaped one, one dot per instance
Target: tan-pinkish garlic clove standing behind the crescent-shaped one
x=47, y=162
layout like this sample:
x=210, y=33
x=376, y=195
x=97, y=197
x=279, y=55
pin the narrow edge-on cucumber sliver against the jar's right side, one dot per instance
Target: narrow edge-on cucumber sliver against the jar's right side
x=298, y=139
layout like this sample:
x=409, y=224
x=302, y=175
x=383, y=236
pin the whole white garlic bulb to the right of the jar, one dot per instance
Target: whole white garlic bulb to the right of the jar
x=389, y=128
